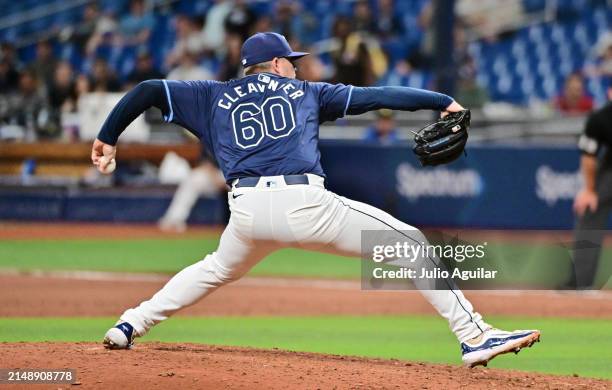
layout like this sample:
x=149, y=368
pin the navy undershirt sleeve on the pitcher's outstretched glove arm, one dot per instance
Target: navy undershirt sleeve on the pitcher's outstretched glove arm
x=365, y=99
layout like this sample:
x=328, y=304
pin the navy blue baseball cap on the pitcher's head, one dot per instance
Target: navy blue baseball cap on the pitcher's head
x=263, y=47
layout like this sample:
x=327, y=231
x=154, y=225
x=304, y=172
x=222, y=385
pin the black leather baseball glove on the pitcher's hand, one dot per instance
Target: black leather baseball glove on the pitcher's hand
x=443, y=141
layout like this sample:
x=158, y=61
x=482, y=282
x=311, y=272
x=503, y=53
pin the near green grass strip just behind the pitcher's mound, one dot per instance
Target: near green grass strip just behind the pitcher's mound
x=569, y=346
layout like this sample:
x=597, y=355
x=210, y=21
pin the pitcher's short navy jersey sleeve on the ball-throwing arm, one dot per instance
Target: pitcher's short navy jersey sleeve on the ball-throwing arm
x=188, y=103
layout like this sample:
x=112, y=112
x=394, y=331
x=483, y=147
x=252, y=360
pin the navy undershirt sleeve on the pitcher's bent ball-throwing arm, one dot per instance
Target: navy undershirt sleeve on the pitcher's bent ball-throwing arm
x=145, y=95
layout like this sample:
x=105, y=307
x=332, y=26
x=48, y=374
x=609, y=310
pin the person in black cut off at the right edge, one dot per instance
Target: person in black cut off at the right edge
x=593, y=203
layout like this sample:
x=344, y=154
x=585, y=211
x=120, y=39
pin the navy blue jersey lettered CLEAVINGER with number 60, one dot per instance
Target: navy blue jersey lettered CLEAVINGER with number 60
x=259, y=125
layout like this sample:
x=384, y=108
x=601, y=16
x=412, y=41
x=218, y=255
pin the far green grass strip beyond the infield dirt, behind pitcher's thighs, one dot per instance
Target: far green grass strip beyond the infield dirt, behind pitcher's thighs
x=535, y=264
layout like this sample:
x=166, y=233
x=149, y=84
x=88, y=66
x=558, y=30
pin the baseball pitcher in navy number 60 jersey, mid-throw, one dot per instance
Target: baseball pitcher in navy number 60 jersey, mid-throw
x=263, y=130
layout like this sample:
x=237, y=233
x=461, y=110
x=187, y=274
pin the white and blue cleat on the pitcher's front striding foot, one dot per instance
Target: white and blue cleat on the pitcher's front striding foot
x=492, y=342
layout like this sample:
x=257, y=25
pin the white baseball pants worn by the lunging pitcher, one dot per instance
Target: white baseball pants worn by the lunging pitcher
x=274, y=215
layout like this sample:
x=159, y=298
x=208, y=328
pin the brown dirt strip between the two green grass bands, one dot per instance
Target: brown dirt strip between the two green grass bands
x=23, y=295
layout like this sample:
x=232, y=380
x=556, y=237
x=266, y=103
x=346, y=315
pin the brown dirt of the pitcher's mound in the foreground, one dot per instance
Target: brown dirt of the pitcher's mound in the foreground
x=188, y=366
